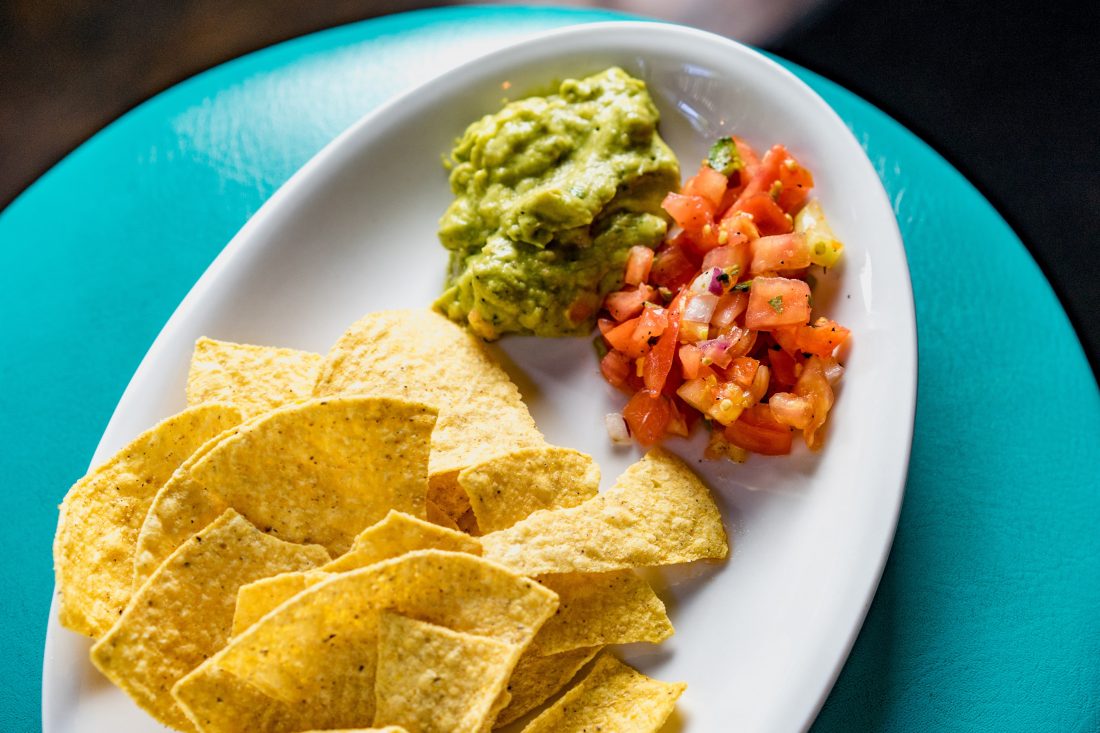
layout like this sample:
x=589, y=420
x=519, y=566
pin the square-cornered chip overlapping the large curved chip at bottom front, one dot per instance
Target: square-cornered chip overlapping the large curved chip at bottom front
x=432, y=680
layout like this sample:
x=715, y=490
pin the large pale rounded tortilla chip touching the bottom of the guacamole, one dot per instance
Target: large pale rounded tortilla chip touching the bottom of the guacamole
x=420, y=355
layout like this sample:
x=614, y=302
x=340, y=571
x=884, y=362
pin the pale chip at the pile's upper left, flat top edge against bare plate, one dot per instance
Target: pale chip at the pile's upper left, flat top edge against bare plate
x=257, y=379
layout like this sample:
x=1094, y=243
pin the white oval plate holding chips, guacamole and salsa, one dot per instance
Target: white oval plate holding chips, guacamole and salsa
x=761, y=639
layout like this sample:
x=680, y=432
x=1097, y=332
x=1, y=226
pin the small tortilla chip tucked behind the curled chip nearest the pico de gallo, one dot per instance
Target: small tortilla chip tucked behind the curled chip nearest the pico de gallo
x=507, y=489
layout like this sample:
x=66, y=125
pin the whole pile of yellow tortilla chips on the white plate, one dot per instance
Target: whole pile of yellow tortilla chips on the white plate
x=380, y=538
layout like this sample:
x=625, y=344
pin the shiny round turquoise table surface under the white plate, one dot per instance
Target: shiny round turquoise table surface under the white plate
x=988, y=616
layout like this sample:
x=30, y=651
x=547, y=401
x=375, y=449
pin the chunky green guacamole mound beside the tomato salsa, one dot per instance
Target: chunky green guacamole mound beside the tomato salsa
x=552, y=193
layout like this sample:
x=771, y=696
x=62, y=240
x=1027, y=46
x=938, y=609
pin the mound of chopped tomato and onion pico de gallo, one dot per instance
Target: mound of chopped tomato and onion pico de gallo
x=717, y=325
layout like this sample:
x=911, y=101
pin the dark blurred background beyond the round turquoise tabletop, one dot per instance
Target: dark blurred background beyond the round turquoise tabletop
x=1009, y=93
